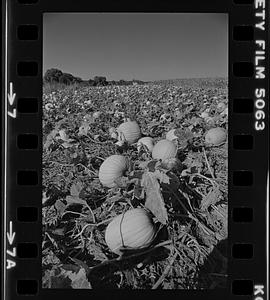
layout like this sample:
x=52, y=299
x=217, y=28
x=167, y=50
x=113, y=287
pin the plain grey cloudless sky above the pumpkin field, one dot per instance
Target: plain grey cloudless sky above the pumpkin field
x=136, y=45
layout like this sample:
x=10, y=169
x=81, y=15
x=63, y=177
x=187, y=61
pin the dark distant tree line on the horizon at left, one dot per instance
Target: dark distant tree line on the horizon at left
x=57, y=76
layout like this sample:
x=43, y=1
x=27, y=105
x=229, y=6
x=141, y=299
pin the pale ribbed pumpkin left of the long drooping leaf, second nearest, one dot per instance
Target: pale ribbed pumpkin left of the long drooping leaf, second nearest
x=112, y=168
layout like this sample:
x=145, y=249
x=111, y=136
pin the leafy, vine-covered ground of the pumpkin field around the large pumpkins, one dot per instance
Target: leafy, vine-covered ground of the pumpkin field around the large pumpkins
x=188, y=199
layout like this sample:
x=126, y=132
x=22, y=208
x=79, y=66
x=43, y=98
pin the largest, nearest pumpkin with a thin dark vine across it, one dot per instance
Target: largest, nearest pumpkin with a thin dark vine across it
x=133, y=229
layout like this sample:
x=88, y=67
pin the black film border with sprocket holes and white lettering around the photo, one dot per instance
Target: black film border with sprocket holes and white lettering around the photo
x=247, y=143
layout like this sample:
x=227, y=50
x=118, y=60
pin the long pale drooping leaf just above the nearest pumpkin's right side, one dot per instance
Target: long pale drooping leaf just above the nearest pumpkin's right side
x=154, y=199
